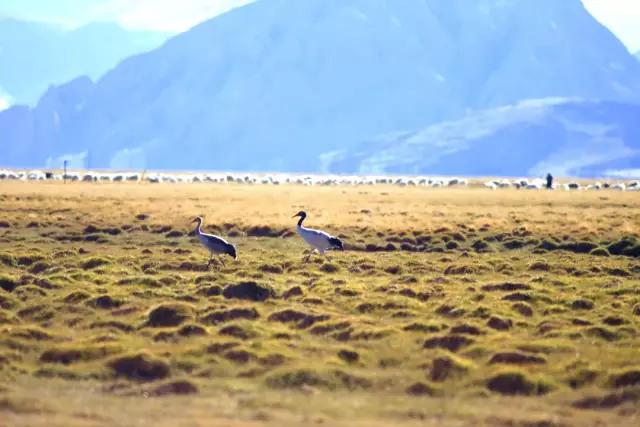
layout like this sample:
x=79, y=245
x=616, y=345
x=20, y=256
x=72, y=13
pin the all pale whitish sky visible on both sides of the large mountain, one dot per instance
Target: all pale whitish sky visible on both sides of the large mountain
x=621, y=16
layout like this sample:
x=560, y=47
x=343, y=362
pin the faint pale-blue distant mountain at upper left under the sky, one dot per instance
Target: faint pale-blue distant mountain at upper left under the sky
x=36, y=55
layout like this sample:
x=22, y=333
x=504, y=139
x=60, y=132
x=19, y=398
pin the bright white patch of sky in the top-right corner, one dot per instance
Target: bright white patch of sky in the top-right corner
x=621, y=16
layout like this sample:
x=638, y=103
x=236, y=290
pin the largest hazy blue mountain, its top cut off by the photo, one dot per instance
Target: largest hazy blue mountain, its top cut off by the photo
x=276, y=84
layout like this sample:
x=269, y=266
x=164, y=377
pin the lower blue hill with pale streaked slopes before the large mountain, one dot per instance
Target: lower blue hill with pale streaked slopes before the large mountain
x=567, y=137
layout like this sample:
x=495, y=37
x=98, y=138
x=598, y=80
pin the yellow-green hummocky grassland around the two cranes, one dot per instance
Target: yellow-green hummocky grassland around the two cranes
x=449, y=307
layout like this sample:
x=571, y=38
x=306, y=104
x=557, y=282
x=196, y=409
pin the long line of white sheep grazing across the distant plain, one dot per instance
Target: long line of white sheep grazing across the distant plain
x=309, y=180
